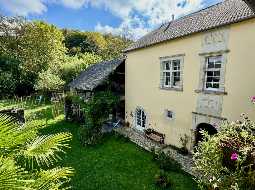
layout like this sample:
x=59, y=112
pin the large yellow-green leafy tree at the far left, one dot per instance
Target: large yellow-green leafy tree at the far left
x=36, y=46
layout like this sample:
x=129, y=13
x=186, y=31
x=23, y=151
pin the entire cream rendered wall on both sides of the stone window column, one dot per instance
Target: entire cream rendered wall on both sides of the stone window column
x=143, y=81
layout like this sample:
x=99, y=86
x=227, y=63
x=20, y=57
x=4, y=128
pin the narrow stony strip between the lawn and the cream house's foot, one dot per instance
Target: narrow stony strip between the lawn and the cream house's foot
x=141, y=140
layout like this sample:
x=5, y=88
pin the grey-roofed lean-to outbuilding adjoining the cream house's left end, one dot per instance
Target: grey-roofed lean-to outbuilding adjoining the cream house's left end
x=107, y=75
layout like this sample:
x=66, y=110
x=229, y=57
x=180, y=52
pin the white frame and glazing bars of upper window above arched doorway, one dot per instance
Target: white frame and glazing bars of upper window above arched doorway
x=207, y=69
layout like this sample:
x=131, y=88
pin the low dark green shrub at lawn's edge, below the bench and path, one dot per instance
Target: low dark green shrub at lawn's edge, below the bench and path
x=165, y=162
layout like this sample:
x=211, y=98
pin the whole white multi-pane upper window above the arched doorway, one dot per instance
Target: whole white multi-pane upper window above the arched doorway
x=213, y=72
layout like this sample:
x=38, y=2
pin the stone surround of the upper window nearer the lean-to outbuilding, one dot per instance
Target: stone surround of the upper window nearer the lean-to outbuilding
x=168, y=58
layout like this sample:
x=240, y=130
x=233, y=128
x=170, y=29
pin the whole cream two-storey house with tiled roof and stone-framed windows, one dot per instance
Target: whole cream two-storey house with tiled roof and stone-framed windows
x=193, y=73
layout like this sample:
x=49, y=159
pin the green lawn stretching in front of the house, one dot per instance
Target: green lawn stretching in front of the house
x=114, y=164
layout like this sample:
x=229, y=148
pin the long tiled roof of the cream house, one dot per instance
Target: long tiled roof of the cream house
x=224, y=13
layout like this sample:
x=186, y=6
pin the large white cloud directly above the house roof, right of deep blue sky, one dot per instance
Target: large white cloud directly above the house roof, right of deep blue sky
x=141, y=16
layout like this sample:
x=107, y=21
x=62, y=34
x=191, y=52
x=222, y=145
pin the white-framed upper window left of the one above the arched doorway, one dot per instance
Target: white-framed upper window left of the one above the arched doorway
x=171, y=73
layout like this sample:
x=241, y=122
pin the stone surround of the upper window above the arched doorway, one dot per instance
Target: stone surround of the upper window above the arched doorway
x=203, y=57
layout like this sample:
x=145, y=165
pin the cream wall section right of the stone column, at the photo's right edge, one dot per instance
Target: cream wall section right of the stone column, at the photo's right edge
x=240, y=71
